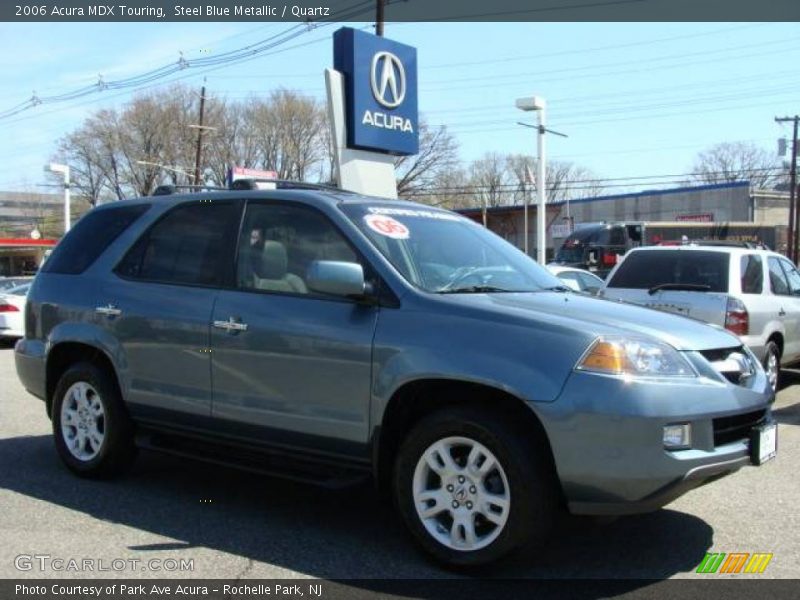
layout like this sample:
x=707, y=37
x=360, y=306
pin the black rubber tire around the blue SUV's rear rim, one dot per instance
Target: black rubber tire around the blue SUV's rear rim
x=117, y=450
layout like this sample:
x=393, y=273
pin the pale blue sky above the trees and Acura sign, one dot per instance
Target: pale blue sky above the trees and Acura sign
x=635, y=99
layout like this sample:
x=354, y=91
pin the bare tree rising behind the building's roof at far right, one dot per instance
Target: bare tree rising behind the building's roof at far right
x=737, y=161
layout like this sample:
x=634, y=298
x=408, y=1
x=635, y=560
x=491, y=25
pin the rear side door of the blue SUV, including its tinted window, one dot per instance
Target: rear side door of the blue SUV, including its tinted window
x=158, y=305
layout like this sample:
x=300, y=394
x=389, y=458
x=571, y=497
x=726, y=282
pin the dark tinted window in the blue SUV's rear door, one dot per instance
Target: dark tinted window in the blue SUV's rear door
x=188, y=246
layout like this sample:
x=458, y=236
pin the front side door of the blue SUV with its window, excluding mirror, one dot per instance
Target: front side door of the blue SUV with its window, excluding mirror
x=286, y=362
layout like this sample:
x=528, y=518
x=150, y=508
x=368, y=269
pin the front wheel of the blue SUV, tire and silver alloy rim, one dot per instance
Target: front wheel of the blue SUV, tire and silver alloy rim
x=471, y=487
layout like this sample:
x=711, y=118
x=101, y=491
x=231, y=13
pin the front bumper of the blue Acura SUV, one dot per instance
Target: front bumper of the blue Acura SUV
x=606, y=435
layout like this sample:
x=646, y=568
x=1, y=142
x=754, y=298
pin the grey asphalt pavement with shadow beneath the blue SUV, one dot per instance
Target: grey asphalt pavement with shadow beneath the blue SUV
x=222, y=523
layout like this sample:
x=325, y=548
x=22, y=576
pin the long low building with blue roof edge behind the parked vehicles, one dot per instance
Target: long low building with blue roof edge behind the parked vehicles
x=724, y=202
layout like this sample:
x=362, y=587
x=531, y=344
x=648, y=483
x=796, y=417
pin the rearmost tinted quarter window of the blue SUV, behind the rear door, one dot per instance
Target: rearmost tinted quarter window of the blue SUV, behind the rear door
x=91, y=235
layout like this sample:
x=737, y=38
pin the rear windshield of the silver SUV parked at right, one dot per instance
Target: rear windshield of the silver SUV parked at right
x=644, y=270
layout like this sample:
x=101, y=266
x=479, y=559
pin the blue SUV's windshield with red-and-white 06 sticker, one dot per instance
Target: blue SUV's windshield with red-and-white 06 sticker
x=442, y=252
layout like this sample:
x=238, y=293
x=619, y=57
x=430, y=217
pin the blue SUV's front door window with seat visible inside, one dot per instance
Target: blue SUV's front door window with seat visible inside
x=279, y=243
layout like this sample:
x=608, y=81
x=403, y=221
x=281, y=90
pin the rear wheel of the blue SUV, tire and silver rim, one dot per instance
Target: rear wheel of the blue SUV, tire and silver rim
x=93, y=432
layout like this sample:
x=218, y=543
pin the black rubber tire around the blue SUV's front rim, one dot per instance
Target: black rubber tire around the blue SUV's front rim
x=527, y=466
